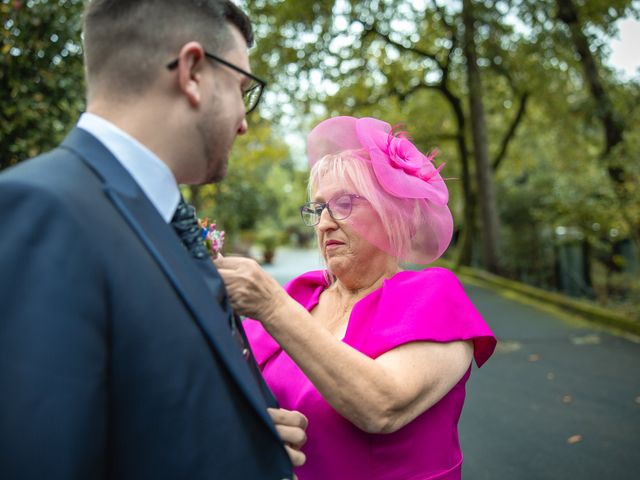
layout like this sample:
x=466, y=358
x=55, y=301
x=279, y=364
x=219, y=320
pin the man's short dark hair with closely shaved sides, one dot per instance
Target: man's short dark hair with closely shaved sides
x=127, y=42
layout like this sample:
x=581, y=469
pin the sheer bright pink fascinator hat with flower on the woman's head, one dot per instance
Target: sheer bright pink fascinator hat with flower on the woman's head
x=416, y=193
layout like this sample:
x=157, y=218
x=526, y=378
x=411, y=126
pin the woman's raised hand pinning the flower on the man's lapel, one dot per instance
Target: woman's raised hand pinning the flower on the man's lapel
x=252, y=291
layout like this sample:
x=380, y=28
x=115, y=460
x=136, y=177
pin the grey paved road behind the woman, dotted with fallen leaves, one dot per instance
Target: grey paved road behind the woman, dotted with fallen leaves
x=560, y=400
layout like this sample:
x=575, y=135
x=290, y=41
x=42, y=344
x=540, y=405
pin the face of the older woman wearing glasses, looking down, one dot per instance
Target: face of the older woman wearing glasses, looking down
x=342, y=243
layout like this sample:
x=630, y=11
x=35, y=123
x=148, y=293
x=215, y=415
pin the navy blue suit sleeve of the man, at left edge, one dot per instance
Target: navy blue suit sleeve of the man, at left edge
x=53, y=340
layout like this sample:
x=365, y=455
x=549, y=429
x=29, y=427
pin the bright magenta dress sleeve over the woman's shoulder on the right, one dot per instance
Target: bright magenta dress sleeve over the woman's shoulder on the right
x=428, y=305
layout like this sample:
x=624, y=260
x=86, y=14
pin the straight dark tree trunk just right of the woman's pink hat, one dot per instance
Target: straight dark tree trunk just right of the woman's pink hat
x=486, y=192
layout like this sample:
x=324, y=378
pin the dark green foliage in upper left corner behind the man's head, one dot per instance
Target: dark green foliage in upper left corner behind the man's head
x=41, y=75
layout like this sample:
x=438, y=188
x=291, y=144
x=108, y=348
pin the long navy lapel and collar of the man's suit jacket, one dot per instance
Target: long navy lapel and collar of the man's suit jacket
x=172, y=258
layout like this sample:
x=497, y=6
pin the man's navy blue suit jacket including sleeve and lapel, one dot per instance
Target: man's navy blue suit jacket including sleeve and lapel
x=116, y=360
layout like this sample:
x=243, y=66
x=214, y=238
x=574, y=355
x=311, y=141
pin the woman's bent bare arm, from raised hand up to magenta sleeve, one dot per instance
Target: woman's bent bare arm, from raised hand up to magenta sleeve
x=378, y=395
